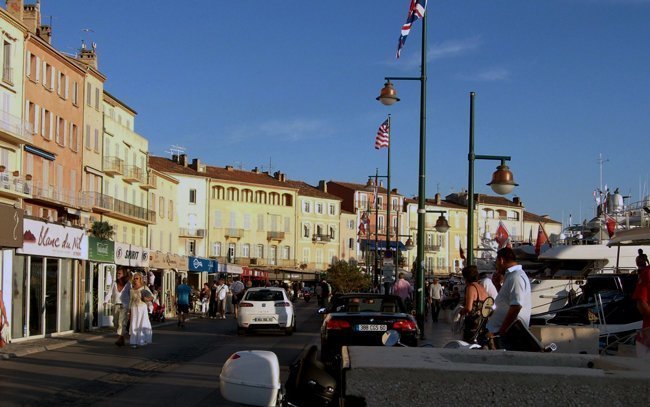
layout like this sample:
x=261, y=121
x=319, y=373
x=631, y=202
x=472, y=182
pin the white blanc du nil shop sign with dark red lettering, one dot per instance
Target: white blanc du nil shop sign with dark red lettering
x=53, y=240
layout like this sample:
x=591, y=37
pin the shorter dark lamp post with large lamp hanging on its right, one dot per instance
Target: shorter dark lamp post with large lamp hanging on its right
x=502, y=180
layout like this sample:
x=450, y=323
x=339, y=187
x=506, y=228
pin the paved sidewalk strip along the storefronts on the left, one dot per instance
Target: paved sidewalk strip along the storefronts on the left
x=27, y=347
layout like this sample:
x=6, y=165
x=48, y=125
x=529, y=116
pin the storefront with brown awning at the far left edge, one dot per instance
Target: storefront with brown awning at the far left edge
x=11, y=238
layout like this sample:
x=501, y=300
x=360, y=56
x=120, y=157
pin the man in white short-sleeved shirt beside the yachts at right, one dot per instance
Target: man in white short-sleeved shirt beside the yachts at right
x=514, y=300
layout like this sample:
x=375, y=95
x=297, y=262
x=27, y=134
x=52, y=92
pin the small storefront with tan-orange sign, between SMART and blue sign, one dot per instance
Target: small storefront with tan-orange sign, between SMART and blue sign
x=166, y=268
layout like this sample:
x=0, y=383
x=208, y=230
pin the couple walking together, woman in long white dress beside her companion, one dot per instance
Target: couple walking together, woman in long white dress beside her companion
x=130, y=296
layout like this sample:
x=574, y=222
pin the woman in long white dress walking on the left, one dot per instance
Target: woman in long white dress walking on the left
x=140, y=330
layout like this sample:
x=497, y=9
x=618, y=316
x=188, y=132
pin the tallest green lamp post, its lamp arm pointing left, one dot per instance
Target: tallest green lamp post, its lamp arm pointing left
x=388, y=96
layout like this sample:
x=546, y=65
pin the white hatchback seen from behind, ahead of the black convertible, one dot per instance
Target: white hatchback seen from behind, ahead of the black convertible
x=266, y=308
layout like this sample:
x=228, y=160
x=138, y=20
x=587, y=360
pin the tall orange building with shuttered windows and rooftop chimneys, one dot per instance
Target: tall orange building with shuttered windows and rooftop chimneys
x=54, y=116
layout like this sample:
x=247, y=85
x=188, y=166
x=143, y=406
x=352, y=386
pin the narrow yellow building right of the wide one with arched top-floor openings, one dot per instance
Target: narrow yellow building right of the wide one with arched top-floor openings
x=318, y=227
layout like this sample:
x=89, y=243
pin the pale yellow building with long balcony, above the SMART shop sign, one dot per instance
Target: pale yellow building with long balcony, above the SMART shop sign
x=126, y=183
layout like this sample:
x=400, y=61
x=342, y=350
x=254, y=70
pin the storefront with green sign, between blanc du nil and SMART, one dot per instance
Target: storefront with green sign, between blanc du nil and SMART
x=98, y=278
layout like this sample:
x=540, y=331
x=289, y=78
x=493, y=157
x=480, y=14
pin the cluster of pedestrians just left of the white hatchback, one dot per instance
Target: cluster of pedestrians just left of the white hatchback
x=214, y=297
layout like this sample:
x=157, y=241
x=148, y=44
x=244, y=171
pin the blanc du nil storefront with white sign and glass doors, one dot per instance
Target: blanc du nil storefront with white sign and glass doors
x=45, y=279
